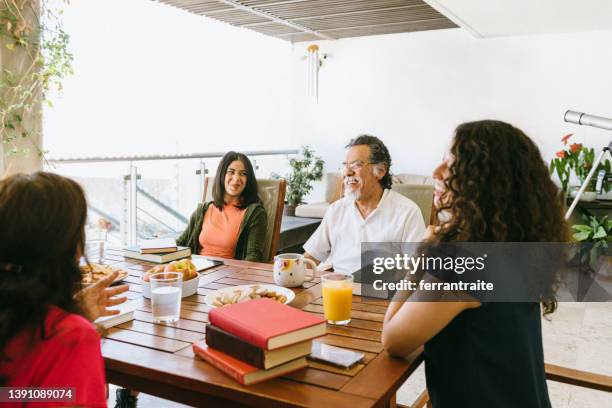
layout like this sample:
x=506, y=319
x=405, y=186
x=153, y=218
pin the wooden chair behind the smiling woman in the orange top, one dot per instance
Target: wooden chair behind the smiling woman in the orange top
x=272, y=194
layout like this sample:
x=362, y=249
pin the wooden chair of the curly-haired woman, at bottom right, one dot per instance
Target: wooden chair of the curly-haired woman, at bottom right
x=554, y=373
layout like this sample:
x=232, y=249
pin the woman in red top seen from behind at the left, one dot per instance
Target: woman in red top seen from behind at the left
x=44, y=340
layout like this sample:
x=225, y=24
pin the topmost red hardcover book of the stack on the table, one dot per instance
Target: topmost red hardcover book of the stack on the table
x=267, y=324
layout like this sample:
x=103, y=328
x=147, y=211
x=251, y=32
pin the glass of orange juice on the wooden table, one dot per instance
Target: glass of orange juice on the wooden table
x=337, y=297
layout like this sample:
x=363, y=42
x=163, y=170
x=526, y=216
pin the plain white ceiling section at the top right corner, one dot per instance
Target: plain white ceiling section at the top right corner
x=493, y=18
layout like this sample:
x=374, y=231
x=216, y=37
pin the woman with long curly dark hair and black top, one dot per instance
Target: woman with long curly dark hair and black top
x=493, y=186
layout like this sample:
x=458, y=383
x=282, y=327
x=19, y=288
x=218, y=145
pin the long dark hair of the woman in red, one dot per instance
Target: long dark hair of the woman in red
x=42, y=219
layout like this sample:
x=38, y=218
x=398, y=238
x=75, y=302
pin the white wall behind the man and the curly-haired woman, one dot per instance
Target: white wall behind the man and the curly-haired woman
x=413, y=89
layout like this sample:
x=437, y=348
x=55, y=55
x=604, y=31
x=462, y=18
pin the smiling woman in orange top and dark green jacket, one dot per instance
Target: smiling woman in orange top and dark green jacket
x=234, y=223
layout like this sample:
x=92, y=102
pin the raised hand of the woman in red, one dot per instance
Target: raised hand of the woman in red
x=95, y=299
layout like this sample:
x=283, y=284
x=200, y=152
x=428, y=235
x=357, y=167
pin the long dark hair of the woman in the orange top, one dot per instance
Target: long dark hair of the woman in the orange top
x=249, y=194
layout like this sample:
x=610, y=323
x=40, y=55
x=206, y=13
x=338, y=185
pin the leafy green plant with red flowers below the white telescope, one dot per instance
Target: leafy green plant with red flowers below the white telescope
x=578, y=159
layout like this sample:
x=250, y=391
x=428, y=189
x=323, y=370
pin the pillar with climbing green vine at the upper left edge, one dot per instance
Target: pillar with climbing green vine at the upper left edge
x=28, y=79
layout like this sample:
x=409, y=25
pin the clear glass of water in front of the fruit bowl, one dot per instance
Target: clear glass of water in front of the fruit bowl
x=166, y=288
